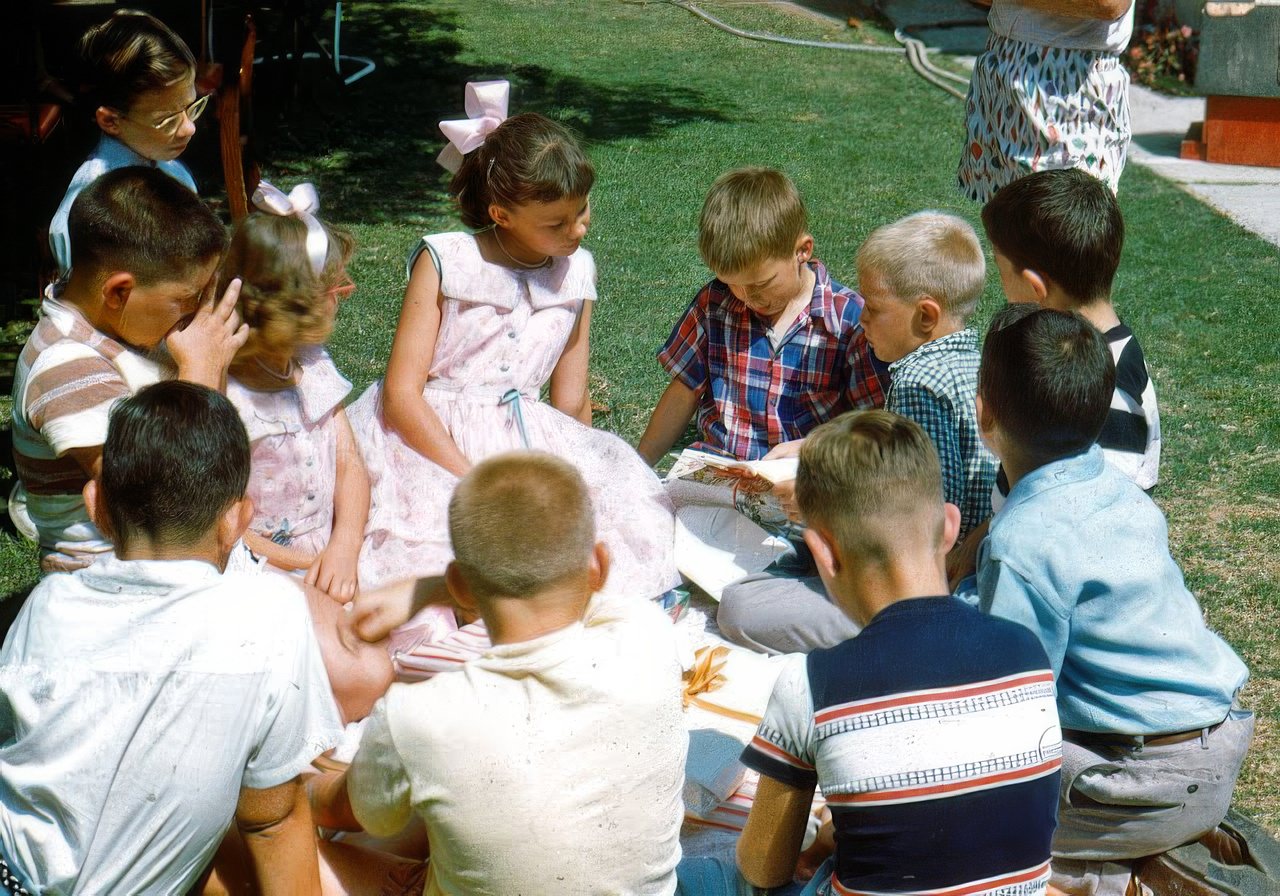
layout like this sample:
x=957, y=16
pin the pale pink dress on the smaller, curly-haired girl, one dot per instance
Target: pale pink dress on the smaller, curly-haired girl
x=294, y=440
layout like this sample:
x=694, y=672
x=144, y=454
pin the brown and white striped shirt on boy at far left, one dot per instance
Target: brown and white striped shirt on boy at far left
x=70, y=377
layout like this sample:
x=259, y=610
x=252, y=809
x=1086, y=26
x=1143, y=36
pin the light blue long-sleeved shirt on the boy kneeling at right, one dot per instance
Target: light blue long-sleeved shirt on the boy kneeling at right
x=1080, y=555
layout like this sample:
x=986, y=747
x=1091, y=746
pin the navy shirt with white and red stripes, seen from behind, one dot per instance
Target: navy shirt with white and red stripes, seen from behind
x=934, y=735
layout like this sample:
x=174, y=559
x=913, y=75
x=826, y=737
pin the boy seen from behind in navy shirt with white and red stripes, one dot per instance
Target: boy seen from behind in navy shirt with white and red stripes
x=932, y=733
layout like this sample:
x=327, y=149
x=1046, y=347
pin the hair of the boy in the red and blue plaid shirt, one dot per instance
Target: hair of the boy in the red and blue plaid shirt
x=751, y=216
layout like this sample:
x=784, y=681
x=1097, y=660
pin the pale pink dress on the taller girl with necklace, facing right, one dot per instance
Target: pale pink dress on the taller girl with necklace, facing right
x=502, y=333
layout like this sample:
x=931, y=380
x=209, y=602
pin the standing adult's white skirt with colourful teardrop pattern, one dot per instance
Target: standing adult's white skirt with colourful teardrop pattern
x=1034, y=108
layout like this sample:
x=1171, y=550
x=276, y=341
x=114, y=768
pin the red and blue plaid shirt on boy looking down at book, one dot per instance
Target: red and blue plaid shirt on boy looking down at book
x=751, y=397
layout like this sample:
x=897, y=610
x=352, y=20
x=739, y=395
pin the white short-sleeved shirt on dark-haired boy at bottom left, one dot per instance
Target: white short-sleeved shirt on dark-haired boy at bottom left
x=139, y=698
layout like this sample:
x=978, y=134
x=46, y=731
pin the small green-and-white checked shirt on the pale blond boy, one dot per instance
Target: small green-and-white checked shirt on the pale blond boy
x=935, y=386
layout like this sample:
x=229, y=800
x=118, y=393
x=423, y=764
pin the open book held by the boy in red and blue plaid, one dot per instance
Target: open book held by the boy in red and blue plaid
x=728, y=523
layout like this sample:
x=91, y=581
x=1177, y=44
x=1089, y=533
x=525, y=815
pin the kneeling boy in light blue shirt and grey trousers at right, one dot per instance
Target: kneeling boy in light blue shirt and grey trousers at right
x=1146, y=693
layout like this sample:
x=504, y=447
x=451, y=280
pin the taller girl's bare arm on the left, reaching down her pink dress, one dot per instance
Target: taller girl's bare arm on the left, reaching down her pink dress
x=413, y=351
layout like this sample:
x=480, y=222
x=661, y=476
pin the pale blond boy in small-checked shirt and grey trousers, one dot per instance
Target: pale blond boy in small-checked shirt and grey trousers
x=921, y=280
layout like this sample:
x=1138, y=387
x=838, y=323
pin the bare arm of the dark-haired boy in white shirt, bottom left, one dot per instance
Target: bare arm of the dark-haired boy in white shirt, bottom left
x=281, y=838
